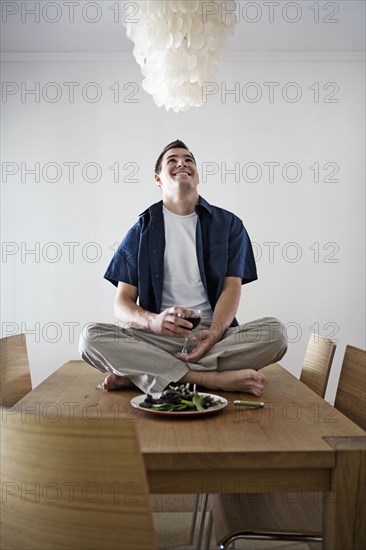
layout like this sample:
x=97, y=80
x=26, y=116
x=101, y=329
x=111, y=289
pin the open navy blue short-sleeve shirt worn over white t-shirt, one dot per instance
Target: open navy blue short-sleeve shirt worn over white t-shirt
x=223, y=250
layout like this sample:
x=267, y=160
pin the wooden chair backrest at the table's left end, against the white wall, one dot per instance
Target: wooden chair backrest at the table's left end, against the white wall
x=15, y=380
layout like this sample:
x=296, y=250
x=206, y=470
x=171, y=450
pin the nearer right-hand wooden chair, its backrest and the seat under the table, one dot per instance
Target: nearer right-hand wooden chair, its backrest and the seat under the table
x=282, y=516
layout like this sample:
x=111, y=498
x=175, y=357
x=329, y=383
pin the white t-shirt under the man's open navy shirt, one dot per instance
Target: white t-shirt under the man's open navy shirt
x=182, y=280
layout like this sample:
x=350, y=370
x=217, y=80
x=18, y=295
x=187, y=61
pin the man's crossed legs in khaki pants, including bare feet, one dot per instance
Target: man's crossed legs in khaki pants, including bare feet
x=143, y=359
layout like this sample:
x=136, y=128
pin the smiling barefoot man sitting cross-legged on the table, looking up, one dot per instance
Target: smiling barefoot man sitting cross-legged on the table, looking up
x=182, y=254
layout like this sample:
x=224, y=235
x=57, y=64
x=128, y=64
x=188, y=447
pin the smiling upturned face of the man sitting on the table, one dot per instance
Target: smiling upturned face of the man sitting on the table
x=178, y=169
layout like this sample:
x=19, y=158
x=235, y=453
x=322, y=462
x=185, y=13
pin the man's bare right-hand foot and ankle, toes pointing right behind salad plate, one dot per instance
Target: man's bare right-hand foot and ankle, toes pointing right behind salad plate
x=243, y=380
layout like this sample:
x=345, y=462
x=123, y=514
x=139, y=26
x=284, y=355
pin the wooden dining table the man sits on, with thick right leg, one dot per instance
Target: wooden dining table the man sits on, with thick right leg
x=297, y=442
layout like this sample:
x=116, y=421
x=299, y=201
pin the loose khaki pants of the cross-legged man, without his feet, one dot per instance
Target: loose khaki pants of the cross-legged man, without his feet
x=149, y=361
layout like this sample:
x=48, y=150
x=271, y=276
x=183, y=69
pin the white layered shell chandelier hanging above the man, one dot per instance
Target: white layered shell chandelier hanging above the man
x=178, y=45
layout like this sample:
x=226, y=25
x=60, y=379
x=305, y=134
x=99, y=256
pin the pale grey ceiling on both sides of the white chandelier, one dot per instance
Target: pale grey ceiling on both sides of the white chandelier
x=280, y=26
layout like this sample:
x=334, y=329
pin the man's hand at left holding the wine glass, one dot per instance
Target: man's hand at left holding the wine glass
x=169, y=323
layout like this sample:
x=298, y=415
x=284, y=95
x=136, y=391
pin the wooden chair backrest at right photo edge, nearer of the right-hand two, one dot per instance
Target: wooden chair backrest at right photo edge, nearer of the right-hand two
x=351, y=392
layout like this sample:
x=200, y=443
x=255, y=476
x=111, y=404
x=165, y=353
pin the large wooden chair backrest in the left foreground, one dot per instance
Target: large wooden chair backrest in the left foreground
x=73, y=483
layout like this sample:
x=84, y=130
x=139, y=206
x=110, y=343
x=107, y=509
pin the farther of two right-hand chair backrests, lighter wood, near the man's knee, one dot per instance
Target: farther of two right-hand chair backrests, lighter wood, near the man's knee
x=317, y=362
